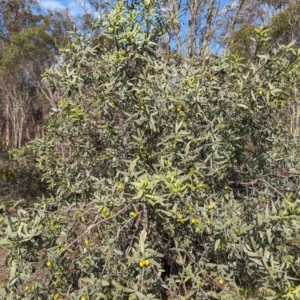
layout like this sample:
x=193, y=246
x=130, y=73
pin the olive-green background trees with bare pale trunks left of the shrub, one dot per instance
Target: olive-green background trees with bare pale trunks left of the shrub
x=29, y=43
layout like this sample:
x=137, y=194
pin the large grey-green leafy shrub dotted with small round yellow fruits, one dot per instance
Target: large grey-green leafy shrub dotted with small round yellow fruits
x=170, y=179
